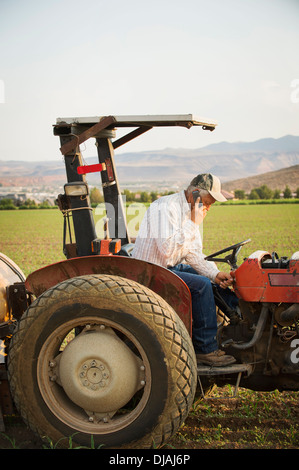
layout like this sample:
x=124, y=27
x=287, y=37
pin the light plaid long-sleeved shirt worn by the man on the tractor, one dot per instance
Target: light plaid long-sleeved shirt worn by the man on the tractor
x=167, y=236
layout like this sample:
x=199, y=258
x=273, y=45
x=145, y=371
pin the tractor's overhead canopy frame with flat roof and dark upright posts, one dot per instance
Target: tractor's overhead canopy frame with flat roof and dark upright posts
x=73, y=131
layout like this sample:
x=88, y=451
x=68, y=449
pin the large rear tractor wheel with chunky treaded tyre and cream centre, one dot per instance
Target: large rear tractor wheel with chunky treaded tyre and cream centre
x=105, y=359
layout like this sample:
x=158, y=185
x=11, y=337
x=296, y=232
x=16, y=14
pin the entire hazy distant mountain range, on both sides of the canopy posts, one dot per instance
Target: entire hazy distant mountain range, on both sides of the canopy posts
x=229, y=161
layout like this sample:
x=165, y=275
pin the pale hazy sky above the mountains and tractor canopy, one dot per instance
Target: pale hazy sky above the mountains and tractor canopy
x=234, y=61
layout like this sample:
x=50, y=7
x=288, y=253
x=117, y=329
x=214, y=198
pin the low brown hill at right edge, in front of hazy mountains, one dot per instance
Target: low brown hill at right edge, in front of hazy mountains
x=273, y=179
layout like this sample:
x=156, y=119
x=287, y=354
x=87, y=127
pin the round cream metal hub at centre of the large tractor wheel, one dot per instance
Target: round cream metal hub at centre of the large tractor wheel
x=99, y=372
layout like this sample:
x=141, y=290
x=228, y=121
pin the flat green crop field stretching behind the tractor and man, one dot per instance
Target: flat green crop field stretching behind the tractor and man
x=33, y=238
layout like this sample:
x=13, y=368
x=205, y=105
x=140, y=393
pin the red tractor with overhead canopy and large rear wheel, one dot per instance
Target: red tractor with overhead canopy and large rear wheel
x=98, y=345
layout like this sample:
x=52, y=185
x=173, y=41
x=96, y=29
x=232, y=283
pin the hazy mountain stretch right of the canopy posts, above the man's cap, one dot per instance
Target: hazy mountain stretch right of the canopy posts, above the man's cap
x=227, y=160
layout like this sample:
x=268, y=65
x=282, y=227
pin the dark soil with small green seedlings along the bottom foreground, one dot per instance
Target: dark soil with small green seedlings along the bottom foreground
x=253, y=420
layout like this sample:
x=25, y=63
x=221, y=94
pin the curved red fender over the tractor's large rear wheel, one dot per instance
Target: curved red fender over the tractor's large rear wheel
x=160, y=280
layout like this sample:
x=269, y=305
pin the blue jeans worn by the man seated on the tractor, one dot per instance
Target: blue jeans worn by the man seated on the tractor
x=204, y=327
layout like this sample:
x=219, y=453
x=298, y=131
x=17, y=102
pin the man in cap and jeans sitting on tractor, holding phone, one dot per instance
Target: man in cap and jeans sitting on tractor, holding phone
x=170, y=236
